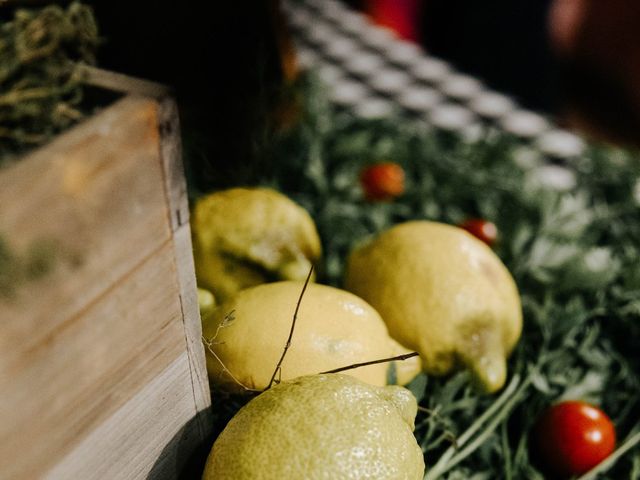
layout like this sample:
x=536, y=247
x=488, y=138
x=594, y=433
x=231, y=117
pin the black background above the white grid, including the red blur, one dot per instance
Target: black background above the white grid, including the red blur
x=503, y=42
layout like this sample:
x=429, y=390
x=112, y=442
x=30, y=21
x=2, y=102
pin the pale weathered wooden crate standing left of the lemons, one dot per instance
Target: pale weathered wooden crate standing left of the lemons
x=102, y=370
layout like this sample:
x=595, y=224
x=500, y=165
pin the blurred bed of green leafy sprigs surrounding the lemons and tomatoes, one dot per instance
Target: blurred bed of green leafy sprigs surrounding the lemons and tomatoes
x=573, y=248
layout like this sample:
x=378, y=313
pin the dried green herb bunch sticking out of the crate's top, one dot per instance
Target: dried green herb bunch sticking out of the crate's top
x=40, y=90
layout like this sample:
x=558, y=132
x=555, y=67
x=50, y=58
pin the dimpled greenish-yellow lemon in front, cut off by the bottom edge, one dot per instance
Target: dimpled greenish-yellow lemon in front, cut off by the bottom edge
x=320, y=427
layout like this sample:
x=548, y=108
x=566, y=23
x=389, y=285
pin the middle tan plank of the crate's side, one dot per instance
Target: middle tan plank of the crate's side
x=67, y=387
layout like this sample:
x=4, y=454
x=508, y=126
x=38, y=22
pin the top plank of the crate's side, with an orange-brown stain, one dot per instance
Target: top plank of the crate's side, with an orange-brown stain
x=94, y=193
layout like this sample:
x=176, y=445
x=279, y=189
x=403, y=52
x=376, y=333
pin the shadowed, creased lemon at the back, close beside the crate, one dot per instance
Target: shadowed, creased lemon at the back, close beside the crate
x=248, y=236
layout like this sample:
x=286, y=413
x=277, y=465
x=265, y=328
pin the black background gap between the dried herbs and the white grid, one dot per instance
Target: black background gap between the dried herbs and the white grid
x=222, y=61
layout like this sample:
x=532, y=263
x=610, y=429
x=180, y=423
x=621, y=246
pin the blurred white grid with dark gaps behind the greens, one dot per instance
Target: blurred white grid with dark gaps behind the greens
x=372, y=73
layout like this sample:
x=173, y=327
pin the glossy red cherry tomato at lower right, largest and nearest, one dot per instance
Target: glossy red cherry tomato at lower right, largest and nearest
x=572, y=437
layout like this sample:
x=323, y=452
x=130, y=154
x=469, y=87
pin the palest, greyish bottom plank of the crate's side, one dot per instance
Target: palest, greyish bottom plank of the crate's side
x=106, y=454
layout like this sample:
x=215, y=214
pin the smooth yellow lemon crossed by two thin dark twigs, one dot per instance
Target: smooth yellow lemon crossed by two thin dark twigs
x=245, y=336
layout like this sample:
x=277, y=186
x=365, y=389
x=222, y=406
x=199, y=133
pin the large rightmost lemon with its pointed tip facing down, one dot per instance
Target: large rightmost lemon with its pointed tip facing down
x=444, y=293
